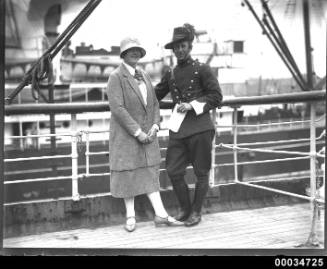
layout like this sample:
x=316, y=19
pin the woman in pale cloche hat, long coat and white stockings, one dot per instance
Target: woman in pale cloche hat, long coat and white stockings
x=134, y=149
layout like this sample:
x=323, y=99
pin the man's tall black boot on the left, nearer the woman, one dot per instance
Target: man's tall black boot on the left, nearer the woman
x=182, y=193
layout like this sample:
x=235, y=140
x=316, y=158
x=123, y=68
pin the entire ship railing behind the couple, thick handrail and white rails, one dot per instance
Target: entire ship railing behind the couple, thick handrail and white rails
x=76, y=137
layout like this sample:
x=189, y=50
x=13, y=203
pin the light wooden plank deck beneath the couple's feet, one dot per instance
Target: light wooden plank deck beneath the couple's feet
x=281, y=227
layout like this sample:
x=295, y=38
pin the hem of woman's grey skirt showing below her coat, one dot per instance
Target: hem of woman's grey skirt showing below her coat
x=130, y=183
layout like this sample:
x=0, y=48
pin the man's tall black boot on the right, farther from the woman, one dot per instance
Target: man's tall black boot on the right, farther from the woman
x=201, y=189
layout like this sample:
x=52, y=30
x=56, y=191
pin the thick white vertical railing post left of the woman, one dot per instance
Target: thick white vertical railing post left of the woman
x=75, y=194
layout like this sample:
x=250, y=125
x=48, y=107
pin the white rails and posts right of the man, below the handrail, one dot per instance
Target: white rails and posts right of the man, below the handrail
x=317, y=200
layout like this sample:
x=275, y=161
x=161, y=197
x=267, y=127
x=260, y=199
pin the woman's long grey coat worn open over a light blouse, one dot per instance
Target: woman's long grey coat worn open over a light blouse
x=128, y=114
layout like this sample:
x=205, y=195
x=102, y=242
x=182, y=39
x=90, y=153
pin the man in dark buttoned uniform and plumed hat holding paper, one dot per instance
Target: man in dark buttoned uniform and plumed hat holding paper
x=195, y=91
